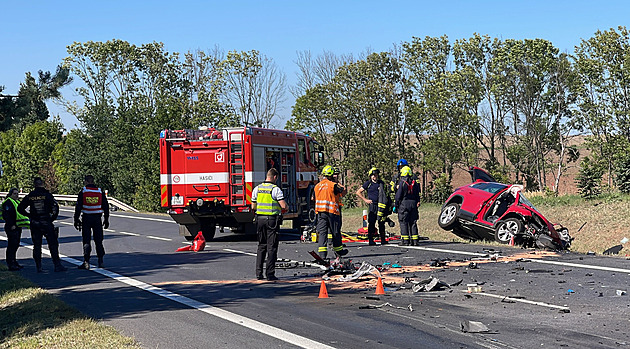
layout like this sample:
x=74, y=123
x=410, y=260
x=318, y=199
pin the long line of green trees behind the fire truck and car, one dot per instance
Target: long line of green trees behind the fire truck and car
x=510, y=106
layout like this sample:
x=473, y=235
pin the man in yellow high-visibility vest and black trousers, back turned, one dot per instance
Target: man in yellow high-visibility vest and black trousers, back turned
x=268, y=203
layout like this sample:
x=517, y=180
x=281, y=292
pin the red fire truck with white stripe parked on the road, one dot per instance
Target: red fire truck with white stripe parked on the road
x=207, y=175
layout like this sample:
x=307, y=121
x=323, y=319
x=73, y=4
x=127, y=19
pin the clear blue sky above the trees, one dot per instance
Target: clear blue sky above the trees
x=34, y=34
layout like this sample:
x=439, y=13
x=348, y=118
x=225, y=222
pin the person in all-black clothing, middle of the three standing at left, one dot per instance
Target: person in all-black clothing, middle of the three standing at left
x=43, y=210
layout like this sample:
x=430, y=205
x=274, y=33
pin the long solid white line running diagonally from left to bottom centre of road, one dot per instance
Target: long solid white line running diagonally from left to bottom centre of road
x=263, y=328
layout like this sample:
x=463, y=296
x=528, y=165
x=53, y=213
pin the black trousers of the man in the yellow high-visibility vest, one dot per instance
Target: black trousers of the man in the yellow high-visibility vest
x=267, y=228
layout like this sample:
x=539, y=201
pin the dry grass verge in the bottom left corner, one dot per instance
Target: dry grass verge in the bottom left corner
x=32, y=318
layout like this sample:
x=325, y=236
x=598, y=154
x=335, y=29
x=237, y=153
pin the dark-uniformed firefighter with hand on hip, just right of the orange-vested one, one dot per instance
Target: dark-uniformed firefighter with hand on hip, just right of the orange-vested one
x=375, y=200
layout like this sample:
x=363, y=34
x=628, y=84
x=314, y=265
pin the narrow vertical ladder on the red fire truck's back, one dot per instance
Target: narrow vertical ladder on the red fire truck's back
x=236, y=145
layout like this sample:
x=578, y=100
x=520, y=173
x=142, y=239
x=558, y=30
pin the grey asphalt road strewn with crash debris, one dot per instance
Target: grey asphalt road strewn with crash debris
x=168, y=299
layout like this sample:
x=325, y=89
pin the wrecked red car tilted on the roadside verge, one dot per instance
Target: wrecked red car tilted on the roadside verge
x=487, y=210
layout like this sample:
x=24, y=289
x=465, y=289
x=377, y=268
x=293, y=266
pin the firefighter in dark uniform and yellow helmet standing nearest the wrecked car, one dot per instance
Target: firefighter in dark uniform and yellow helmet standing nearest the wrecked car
x=407, y=202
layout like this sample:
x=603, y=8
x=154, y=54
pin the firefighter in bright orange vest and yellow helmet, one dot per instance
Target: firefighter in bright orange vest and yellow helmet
x=329, y=212
